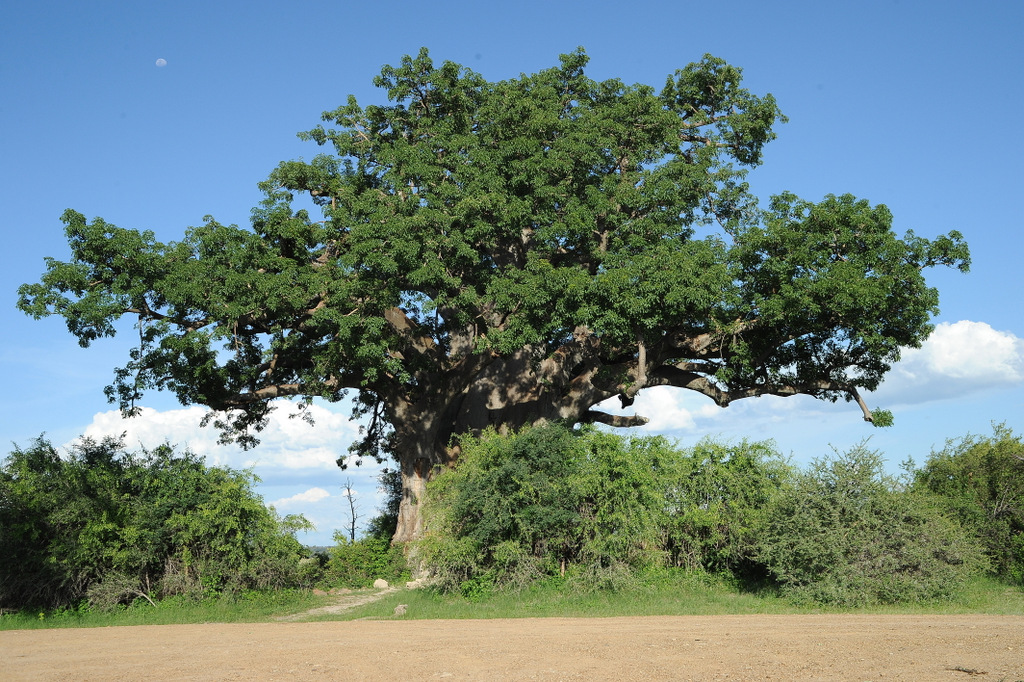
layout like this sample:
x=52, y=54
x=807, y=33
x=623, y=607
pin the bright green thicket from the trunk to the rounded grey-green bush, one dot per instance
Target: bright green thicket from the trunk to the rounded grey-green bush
x=593, y=507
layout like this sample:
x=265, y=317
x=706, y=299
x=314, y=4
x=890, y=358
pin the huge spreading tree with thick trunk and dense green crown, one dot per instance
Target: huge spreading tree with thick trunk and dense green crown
x=504, y=253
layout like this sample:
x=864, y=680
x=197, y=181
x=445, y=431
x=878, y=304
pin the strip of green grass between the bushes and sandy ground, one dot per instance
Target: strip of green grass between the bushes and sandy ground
x=667, y=594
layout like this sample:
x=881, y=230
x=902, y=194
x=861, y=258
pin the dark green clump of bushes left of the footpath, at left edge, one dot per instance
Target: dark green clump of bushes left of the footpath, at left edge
x=111, y=526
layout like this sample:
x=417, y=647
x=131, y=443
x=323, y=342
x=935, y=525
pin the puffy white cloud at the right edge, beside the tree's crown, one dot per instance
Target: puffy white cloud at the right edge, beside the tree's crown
x=960, y=358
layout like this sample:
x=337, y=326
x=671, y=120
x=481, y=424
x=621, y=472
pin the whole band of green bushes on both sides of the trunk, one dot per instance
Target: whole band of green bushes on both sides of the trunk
x=101, y=527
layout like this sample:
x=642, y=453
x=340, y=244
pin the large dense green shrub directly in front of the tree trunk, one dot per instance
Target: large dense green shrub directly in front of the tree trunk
x=548, y=501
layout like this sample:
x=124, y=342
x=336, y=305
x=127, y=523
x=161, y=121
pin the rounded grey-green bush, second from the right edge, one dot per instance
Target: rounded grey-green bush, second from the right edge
x=843, y=533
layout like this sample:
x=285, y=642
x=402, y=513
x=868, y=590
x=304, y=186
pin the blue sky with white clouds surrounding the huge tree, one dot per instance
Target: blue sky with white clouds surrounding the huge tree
x=909, y=104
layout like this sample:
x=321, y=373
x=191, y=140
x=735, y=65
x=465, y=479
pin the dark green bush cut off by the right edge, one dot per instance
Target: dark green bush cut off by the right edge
x=982, y=483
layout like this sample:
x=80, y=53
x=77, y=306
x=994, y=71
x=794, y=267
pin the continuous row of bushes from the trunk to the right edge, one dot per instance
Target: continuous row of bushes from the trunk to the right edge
x=598, y=510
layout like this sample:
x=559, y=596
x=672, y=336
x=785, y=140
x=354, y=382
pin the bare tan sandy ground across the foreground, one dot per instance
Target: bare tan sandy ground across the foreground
x=721, y=648
